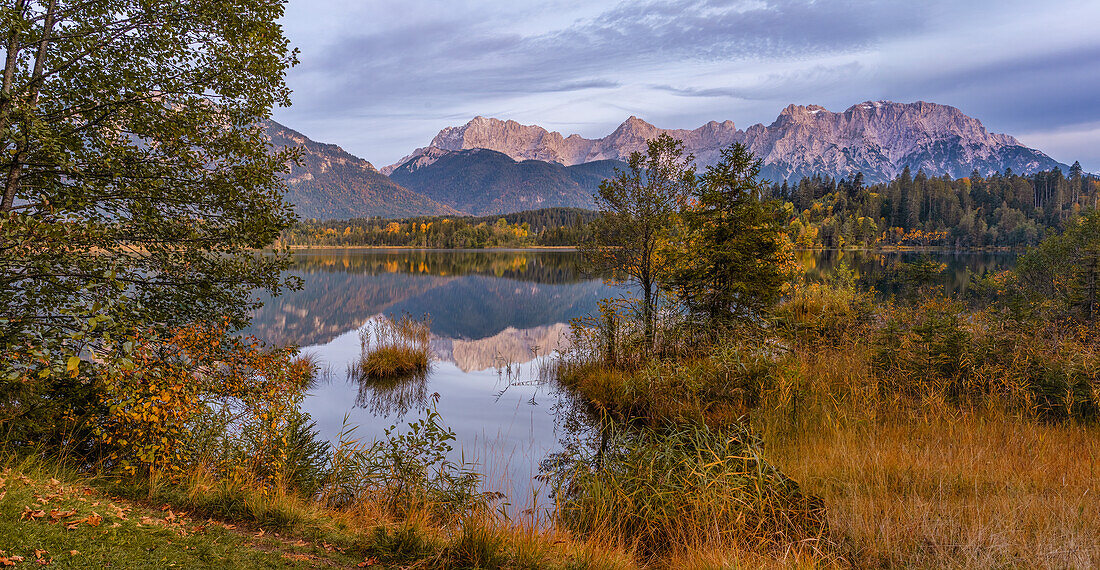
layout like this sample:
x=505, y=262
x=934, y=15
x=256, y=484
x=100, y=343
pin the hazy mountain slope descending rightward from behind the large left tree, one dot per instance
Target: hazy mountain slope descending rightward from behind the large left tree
x=328, y=183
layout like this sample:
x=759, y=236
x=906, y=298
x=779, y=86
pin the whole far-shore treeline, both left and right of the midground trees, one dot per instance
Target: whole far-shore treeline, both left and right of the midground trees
x=1004, y=210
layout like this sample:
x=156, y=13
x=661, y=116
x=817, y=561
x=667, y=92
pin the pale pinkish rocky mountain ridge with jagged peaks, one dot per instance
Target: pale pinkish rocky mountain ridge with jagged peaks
x=878, y=139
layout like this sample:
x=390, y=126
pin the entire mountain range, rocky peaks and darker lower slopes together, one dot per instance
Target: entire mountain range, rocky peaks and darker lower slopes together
x=491, y=167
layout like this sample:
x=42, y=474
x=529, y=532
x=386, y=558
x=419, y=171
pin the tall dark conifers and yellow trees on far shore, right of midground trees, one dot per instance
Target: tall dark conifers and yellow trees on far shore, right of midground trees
x=976, y=212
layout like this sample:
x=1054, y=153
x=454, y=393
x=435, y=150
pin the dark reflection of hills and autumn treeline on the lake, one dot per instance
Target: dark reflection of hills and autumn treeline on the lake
x=468, y=295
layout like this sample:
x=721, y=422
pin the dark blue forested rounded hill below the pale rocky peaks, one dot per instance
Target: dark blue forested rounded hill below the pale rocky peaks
x=483, y=182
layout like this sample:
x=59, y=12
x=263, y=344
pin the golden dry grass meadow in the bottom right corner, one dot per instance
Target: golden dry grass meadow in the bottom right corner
x=934, y=485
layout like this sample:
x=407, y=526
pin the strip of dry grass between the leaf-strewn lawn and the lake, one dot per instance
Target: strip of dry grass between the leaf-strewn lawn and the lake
x=369, y=531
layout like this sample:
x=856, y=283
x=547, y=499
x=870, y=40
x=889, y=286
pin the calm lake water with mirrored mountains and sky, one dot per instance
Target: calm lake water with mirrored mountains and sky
x=497, y=317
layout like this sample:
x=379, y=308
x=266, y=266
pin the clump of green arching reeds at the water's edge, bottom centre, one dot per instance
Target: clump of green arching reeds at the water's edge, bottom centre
x=686, y=489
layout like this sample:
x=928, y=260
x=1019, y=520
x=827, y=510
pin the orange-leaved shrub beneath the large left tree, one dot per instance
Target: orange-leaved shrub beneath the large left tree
x=166, y=405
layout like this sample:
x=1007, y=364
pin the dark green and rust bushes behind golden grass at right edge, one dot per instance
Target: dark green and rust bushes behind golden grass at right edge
x=938, y=350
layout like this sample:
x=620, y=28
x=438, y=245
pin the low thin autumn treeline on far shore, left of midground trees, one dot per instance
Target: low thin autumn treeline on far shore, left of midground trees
x=534, y=228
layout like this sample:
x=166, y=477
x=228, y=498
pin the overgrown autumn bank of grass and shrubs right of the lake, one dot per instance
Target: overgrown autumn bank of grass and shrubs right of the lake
x=931, y=433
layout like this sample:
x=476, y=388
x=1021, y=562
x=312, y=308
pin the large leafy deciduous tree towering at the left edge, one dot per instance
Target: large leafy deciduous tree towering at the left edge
x=137, y=180
